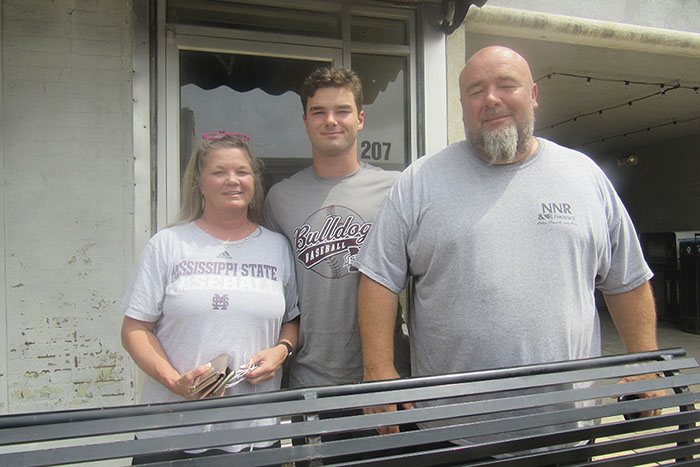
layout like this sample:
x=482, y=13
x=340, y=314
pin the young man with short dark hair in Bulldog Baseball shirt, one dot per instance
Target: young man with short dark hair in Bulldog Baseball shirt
x=326, y=211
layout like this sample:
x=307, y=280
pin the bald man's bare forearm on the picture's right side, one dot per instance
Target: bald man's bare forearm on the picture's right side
x=634, y=315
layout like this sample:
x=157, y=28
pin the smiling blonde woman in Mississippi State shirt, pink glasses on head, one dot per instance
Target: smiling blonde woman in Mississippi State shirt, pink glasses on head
x=217, y=282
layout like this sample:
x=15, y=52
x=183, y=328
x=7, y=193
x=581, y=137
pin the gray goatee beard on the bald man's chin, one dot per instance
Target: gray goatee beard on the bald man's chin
x=503, y=146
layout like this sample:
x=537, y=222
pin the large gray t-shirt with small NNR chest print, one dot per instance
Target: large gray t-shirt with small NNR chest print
x=505, y=259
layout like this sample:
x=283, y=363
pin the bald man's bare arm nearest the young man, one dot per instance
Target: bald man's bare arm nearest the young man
x=376, y=315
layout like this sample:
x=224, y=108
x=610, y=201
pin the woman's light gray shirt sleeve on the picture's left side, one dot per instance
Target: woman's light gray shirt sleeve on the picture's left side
x=144, y=297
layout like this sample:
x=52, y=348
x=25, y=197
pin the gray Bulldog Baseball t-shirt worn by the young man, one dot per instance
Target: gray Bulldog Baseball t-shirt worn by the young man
x=326, y=220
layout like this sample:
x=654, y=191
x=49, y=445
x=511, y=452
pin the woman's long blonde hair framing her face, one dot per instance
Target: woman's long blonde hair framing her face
x=192, y=200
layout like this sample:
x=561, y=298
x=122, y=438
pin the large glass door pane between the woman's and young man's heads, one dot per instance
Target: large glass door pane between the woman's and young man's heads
x=255, y=95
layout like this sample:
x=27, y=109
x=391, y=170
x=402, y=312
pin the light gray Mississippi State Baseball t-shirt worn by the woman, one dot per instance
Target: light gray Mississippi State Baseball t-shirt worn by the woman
x=210, y=297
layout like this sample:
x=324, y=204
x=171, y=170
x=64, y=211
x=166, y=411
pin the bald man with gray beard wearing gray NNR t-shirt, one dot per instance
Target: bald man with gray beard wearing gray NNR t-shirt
x=507, y=238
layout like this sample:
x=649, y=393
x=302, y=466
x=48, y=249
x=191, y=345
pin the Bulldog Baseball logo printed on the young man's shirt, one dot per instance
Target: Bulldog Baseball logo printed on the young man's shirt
x=329, y=240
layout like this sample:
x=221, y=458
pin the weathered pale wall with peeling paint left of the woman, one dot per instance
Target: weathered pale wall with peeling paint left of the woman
x=67, y=200
